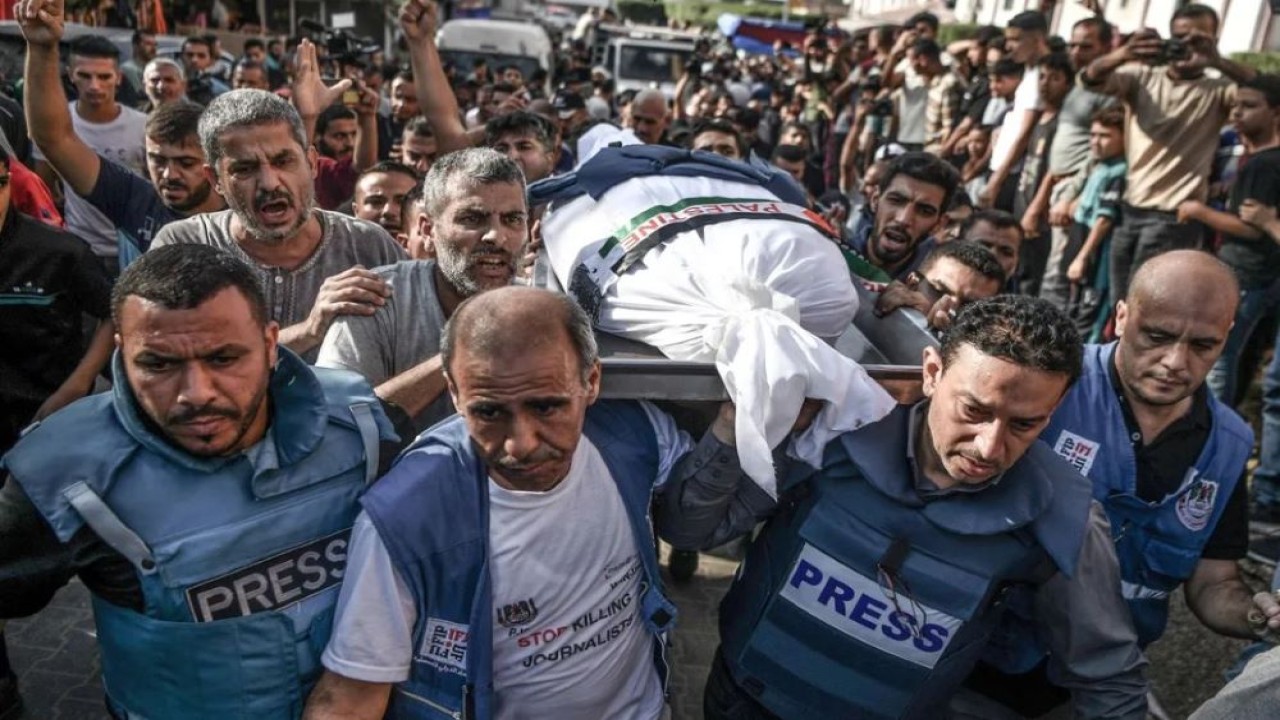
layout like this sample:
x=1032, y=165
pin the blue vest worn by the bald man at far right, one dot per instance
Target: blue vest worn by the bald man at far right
x=1158, y=544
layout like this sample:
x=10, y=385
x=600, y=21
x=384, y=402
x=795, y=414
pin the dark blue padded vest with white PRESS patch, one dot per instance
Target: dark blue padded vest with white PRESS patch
x=861, y=600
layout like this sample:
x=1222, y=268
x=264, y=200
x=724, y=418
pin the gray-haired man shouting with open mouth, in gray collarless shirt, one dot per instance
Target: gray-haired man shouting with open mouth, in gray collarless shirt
x=312, y=263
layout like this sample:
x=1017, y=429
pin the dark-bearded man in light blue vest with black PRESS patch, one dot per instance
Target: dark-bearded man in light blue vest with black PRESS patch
x=207, y=502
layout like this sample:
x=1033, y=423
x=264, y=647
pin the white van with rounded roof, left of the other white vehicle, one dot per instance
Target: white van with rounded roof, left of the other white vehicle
x=500, y=43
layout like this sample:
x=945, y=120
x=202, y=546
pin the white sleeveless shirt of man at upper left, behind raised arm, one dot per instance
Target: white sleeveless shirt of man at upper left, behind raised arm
x=122, y=142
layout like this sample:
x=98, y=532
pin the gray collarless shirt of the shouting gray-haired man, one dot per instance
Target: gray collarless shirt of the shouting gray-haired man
x=291, y=294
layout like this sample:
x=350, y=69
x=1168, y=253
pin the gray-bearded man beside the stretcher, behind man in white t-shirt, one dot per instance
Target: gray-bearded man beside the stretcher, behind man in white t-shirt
x=477, y=221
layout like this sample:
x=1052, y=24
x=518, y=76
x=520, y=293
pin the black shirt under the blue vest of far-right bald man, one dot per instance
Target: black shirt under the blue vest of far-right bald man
x=1164, y=462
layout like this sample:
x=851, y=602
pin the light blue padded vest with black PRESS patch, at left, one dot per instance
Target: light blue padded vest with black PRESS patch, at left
x=240, y=566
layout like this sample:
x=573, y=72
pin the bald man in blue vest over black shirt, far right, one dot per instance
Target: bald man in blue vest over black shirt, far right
x=1167, y=459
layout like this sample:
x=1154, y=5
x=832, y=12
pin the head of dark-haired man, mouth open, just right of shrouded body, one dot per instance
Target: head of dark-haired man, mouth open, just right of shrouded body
x=915, y=194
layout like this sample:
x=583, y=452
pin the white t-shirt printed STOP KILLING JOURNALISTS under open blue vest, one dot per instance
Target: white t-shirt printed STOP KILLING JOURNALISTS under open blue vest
x=569, y=641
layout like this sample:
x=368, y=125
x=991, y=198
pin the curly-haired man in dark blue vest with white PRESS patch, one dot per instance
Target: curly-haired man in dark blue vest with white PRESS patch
x=881, y=578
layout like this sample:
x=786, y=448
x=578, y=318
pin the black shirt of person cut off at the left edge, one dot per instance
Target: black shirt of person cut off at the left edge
x=49, y=281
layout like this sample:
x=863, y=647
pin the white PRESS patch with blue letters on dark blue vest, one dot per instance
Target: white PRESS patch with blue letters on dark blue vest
x=858, y=608
